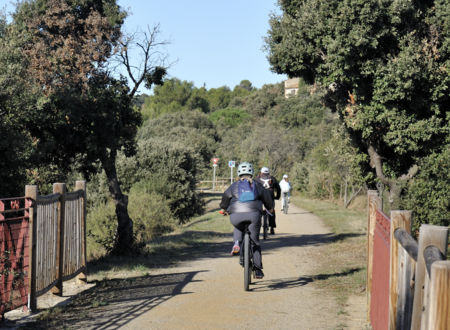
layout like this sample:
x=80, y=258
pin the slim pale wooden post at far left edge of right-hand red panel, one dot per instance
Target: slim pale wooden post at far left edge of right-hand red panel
x=374, y=204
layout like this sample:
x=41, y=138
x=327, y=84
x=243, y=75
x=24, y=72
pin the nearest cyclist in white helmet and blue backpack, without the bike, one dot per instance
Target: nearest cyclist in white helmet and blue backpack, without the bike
x=243, y=200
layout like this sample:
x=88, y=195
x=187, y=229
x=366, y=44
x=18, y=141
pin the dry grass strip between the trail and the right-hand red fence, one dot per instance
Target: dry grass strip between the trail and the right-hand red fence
x=347, y=252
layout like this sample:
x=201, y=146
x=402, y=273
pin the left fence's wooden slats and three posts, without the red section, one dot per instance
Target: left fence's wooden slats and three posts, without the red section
x=57, y=233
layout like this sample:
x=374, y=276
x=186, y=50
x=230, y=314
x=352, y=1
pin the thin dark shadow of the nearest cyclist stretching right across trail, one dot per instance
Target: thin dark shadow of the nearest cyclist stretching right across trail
x=293, y=282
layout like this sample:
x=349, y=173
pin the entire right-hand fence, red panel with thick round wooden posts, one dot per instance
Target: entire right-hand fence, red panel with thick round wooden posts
x=408, y=282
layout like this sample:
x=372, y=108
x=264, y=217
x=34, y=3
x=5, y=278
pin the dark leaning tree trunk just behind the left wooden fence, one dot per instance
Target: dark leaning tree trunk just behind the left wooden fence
x=124, y=243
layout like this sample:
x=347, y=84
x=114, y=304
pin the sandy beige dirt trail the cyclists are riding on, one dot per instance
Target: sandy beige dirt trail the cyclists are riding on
x=207, y=292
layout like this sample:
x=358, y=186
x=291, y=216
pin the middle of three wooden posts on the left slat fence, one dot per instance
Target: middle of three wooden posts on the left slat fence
x=60, y=188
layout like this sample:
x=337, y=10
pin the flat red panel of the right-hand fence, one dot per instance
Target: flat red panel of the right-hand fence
x=379, y=303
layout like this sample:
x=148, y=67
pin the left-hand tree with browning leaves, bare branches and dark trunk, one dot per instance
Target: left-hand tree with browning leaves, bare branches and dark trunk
x=89, y=113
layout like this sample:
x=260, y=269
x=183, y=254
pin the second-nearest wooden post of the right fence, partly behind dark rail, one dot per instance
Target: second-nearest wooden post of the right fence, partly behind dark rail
x=428, y=235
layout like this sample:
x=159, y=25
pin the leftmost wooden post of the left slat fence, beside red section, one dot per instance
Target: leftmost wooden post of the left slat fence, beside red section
x=31, y=192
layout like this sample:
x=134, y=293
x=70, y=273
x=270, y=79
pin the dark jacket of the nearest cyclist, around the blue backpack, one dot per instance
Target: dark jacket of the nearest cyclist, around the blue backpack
x=230, y=200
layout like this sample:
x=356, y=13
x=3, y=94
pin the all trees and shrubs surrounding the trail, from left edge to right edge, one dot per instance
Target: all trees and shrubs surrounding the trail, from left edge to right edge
x=372, y=106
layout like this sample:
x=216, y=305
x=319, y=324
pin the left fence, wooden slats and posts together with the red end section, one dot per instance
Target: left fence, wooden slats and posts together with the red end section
x=55, y=228
